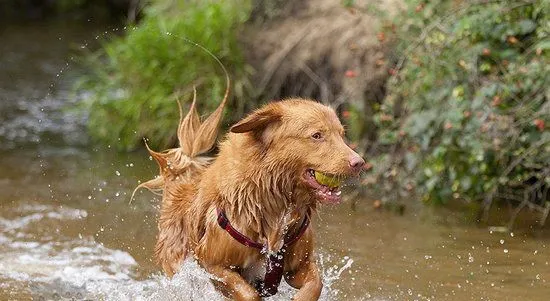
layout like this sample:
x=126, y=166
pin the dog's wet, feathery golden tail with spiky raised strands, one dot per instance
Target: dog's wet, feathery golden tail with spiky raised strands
x=184, y=163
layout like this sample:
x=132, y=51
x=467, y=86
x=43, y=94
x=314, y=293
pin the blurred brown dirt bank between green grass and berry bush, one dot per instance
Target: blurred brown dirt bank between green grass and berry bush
x=322, y=49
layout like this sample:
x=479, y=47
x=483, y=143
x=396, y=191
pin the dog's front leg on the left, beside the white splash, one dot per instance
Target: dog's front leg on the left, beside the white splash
x=233, y=284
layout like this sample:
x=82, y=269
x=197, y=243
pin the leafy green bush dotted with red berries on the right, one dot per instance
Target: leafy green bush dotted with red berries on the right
x=467, y=110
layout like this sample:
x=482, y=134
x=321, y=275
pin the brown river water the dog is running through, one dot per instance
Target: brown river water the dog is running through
x=67, y=230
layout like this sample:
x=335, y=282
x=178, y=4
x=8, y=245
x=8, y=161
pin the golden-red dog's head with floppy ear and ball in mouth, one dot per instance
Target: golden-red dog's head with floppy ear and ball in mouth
x=306, y=137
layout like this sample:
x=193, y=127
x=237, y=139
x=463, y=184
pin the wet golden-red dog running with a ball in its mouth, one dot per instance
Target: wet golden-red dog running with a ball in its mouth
x=244, y=214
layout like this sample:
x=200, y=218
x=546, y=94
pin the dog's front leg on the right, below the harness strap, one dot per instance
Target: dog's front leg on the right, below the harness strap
x=308, y=280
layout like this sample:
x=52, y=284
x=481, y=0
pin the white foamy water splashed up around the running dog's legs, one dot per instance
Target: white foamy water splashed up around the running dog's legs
x=65, y=268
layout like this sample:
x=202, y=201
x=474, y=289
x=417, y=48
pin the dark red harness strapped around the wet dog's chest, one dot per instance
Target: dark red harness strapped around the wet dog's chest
x=275, y=262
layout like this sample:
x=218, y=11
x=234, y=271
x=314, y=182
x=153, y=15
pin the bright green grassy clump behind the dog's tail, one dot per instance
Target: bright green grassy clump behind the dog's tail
x=136, y=79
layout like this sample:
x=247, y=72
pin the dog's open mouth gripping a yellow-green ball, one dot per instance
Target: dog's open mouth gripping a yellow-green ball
x=326, y=187
